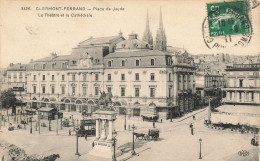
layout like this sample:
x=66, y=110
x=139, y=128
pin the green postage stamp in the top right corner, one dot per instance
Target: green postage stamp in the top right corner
x=228, y=18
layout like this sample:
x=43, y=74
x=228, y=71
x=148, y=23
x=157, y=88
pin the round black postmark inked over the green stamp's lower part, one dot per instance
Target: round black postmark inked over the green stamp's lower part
x=227, y=29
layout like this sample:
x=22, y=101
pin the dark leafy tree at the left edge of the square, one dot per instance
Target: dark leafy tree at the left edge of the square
x=8, y=100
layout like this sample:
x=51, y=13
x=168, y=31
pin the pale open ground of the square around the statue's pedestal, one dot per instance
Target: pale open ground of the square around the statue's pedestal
x=175, y=141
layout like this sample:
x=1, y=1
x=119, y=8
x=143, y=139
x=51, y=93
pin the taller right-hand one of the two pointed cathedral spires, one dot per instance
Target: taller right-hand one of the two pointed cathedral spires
x=160, y=42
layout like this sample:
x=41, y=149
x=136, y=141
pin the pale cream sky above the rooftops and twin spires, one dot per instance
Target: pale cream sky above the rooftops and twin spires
x=24, y=35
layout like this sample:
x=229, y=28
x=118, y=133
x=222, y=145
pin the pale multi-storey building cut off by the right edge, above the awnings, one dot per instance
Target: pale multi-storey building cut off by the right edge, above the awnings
x=243, y=85
